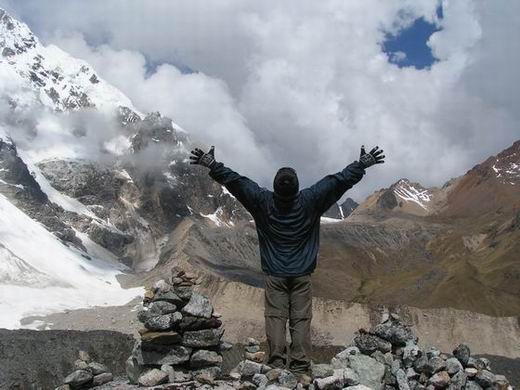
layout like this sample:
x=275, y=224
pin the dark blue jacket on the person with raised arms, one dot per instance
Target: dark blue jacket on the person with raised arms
x=288, y=238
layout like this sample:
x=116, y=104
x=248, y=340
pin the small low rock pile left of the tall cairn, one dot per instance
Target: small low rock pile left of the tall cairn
x=86, y=374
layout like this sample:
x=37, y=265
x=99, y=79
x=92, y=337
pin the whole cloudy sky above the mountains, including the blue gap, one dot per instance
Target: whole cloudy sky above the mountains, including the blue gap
x=304, y=83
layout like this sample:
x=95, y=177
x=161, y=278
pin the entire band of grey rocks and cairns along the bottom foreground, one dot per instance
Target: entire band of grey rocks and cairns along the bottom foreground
x=181, y=347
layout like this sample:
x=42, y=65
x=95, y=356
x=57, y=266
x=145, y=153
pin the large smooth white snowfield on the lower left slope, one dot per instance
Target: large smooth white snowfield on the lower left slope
x=48, y=276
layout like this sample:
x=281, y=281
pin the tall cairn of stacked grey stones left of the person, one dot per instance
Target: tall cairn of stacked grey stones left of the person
x=181, y=339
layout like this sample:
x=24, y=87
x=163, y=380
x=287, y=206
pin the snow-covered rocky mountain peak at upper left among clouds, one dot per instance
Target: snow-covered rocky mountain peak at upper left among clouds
x=57, y=80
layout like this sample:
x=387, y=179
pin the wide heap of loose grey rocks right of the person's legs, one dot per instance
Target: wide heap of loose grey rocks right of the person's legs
x=388, y=357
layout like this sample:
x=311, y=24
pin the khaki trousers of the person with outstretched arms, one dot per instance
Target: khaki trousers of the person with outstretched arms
x=288, y=298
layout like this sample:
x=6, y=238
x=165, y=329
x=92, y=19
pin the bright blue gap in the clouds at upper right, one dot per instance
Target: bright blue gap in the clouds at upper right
x=408, y=47
